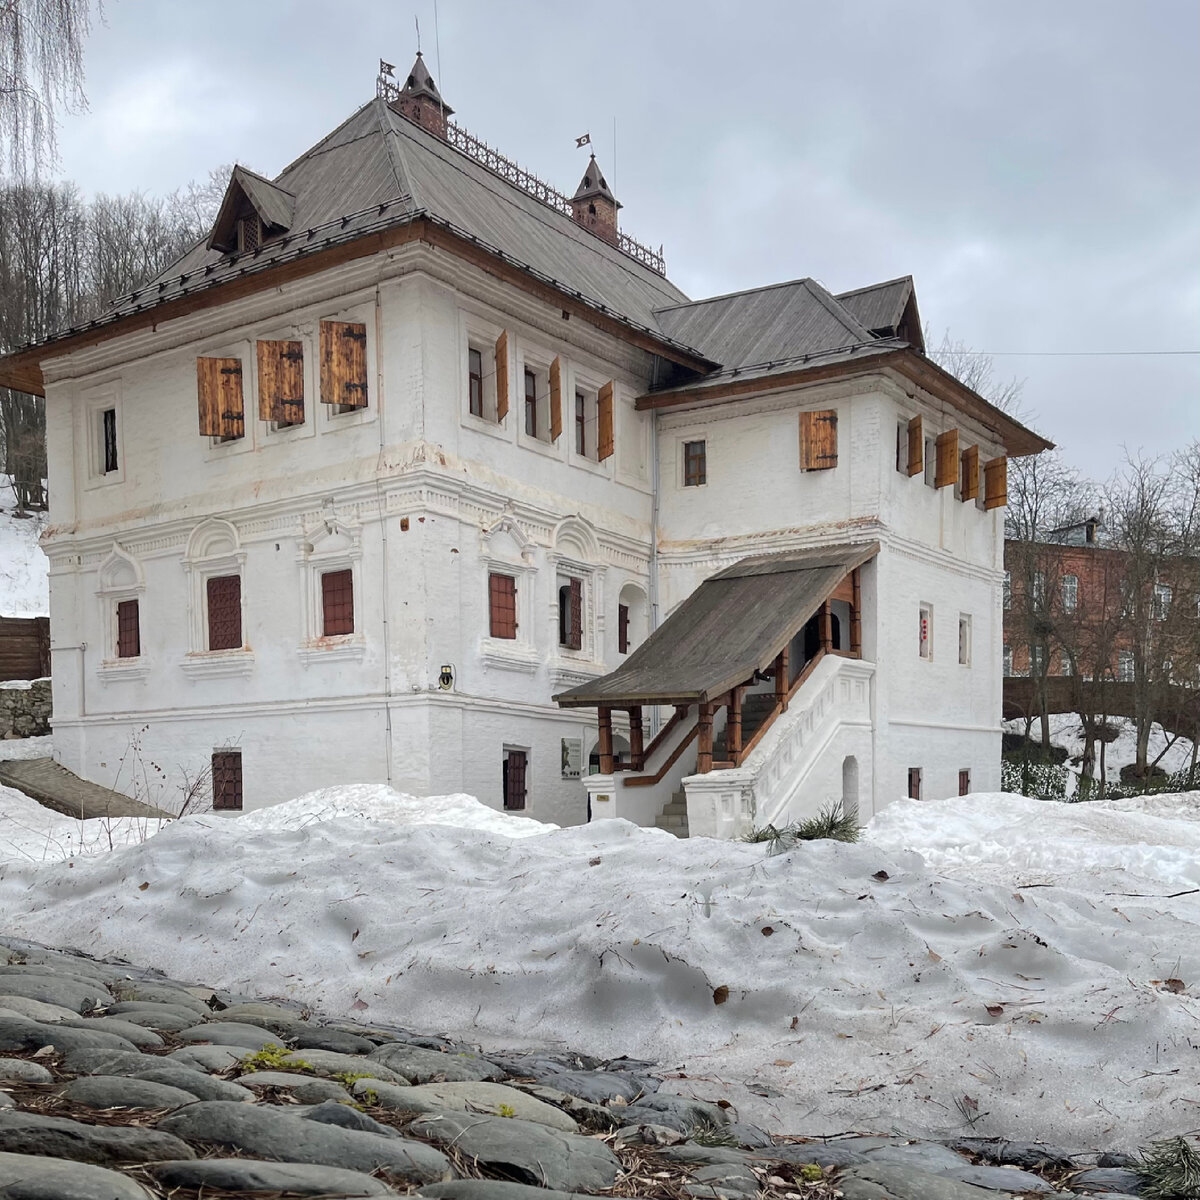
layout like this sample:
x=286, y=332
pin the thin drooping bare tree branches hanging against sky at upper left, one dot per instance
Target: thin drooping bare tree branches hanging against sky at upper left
x=41, y=71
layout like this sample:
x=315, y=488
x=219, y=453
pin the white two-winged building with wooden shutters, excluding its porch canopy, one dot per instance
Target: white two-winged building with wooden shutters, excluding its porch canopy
x=415, y=445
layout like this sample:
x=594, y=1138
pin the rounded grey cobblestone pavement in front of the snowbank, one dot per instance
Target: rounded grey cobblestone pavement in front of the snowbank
x=119, y=1084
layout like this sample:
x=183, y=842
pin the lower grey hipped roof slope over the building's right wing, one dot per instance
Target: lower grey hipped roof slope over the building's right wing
x=781, y=322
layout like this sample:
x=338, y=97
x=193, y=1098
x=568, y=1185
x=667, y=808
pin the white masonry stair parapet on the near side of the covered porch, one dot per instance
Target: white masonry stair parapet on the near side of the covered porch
x=764, y=790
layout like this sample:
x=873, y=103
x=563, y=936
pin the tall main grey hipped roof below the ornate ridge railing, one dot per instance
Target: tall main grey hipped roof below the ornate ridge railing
x=379, y=171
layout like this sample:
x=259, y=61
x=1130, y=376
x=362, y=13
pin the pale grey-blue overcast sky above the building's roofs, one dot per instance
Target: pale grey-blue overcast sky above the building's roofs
x=1034, y=166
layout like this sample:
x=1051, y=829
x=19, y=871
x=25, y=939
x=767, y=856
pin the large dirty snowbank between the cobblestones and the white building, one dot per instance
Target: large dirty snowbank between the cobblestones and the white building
x=1034, y=971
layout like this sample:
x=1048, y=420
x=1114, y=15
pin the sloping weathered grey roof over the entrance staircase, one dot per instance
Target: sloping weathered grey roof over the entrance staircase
x=735, y=623
